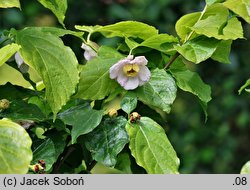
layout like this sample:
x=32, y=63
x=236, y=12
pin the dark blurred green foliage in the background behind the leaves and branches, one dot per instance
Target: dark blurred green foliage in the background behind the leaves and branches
x=220, y=145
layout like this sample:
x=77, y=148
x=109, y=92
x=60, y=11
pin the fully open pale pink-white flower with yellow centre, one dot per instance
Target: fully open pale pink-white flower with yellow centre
x=130, y=72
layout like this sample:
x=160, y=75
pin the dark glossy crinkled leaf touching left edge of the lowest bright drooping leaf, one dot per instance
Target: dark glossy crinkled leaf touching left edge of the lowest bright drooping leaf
x=107, y=140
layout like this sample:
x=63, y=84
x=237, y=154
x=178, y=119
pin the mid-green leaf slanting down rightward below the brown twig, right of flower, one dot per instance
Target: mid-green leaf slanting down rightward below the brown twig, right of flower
x=191, y=82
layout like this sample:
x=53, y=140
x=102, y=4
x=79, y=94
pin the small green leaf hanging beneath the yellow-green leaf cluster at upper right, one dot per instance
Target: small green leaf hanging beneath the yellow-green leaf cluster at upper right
x=222, y=51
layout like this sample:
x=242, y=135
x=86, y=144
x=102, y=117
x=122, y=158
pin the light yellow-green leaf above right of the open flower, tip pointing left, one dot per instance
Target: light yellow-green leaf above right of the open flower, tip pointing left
x=160, y=42
